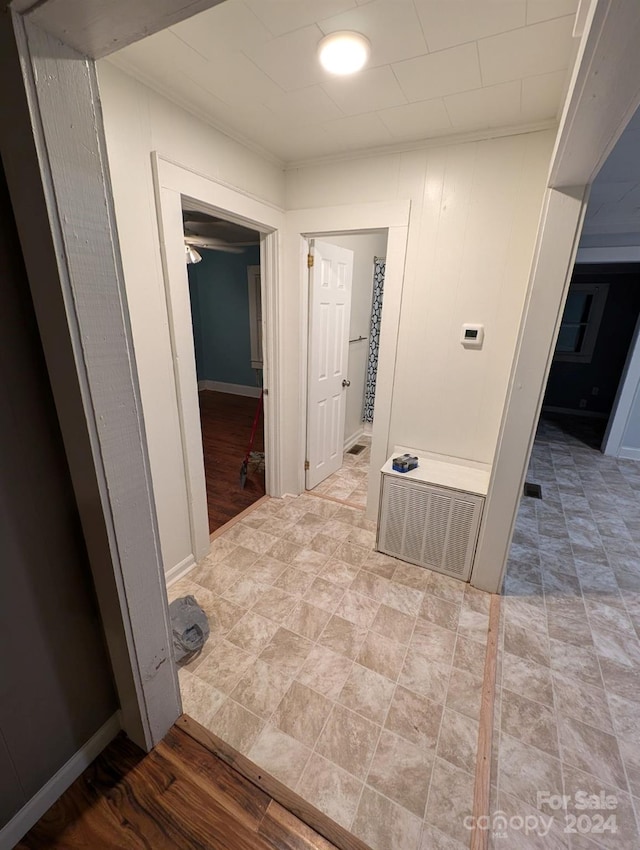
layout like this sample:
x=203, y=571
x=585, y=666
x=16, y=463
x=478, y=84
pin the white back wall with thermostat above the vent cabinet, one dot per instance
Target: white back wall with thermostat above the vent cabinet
x=474, y=216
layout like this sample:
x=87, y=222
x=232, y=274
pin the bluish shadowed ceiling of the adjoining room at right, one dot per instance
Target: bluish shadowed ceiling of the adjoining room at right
x=613, y=212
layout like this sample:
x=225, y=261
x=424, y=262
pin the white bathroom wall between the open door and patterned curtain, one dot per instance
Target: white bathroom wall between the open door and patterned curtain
x=365, y=247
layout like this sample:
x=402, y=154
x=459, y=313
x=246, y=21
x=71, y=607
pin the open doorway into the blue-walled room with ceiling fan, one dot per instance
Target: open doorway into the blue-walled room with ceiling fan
x=223, y=265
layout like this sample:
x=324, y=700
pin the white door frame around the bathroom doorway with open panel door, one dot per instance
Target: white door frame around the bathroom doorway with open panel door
x=322, y=223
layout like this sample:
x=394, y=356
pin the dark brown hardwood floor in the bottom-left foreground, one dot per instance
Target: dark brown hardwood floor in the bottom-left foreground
x=180, y=795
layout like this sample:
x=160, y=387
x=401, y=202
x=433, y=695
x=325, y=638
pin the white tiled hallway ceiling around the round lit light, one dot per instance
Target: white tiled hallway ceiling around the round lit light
x=437, y=67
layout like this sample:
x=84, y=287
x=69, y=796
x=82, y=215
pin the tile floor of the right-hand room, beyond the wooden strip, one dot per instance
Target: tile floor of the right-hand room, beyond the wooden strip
x=568, y=698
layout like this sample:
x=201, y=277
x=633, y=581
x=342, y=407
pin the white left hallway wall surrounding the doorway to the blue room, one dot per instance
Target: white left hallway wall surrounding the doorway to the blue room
x=137, y=122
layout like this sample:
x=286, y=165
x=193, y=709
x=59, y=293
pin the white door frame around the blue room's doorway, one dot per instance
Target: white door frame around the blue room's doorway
x=172, y=183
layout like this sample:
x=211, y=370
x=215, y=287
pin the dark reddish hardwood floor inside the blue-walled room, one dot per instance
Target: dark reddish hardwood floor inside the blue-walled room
x=226, y=427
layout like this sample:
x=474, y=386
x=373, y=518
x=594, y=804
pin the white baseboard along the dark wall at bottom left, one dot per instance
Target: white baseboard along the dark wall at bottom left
x=32, y=811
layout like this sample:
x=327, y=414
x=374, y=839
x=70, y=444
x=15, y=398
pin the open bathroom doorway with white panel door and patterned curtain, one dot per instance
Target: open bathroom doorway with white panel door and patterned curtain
x=341, y=393
